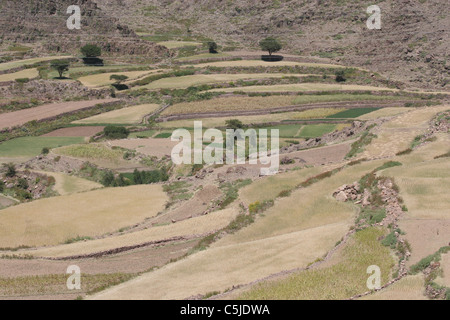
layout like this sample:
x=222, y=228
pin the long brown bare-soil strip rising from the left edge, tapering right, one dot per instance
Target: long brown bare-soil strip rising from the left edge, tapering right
x=17, y=118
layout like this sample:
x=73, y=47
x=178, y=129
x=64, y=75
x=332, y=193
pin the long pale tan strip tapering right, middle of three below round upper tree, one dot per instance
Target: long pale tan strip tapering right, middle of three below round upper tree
x=199, y=79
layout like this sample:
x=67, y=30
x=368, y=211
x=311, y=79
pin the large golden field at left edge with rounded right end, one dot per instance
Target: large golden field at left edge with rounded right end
x=55, y=220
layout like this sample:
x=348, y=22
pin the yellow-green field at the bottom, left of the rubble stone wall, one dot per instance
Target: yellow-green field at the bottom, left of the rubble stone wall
x=340, y=281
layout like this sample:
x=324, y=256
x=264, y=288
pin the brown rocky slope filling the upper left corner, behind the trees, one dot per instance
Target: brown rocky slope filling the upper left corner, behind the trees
x=38, y=21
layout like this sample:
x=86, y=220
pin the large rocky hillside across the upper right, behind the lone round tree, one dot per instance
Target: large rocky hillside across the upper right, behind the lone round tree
x=413, y=45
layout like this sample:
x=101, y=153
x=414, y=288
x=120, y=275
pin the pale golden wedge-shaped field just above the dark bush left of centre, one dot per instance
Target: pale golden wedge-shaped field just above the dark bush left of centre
x=129, y=115
